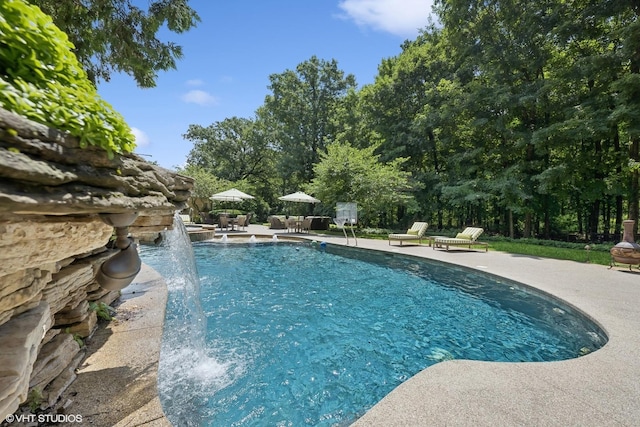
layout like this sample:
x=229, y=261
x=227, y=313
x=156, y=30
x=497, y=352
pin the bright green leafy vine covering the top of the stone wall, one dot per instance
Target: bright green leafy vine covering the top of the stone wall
x=41, y=79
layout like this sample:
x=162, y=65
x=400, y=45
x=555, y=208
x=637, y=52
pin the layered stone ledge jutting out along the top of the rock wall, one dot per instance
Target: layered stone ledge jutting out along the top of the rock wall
x=44, y=171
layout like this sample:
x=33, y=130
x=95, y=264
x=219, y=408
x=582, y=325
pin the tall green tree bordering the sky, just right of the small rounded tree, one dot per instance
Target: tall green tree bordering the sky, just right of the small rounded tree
x=407, y=113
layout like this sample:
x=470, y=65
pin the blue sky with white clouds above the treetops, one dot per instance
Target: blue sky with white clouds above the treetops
x=228, y=58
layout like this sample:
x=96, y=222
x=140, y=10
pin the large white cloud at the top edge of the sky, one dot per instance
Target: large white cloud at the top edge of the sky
x=401, y=17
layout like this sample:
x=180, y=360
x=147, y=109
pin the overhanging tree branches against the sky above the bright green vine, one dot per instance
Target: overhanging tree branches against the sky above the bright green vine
x=116, y=36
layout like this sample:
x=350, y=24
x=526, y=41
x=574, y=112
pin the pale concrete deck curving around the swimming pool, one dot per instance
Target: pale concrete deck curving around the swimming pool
x=599, y=389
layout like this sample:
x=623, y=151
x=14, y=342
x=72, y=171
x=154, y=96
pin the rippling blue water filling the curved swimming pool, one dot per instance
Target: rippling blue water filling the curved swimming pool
x=296, y=335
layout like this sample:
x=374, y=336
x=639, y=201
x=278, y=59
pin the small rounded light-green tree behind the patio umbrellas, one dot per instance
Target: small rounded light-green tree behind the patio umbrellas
x=348, y=174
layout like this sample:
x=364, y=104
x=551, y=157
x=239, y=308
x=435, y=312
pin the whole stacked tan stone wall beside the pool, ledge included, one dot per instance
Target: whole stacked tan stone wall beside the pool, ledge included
x=52, y=241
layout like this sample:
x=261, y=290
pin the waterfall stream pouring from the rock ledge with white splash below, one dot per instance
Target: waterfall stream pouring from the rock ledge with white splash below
x=186, y=362
